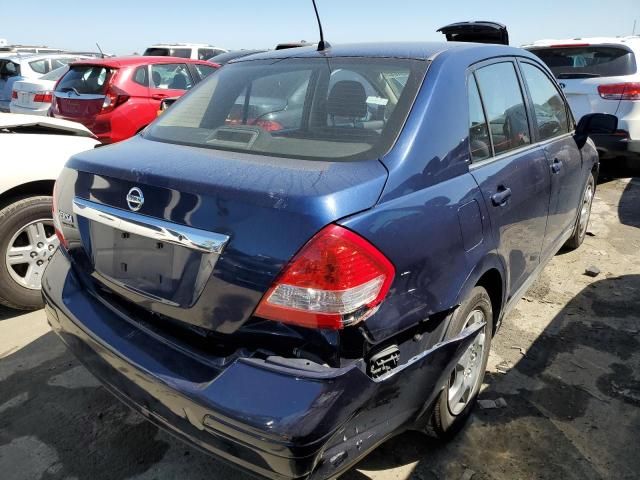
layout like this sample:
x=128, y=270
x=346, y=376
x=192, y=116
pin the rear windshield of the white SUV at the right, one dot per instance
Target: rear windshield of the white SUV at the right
x=587, y=62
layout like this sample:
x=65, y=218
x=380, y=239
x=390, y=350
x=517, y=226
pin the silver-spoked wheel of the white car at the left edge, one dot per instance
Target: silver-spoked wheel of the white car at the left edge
x=27, y=242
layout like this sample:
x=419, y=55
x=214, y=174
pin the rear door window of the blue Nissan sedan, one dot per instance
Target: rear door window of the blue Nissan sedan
x=504, y=104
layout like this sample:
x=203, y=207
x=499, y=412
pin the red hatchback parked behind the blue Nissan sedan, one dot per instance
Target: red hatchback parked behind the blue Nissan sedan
x=117, y=97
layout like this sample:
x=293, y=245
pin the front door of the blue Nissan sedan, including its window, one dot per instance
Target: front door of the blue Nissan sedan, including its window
x=551, y=124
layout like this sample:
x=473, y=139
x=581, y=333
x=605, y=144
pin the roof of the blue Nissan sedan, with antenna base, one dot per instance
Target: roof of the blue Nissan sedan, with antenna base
x=410, y=50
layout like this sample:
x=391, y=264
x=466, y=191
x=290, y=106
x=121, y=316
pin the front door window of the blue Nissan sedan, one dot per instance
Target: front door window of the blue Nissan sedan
x=549, y=107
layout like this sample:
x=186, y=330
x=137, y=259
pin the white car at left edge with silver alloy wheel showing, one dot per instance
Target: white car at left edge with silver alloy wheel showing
x=34, y=150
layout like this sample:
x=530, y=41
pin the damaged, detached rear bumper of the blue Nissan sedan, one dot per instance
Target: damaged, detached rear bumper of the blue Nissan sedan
x=273, y=420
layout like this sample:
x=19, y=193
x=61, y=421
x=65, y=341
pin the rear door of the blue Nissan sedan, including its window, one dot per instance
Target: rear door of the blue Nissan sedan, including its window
x=511, y=171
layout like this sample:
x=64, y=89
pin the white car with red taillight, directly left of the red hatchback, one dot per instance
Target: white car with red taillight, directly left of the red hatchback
x=34, y=96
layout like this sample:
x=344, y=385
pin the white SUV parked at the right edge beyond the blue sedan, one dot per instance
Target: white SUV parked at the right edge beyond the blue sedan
x=600, y=75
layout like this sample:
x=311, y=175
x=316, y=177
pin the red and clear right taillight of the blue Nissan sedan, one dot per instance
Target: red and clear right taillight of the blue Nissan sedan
x=336, y=280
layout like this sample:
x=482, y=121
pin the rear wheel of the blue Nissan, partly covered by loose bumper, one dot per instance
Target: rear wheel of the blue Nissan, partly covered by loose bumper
x=456, y=401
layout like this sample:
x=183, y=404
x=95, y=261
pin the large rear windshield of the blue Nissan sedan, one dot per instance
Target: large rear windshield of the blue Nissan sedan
x=328, y=109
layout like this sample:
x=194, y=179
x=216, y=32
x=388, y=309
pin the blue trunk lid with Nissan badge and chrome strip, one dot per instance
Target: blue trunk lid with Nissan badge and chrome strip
x=267, y=208
